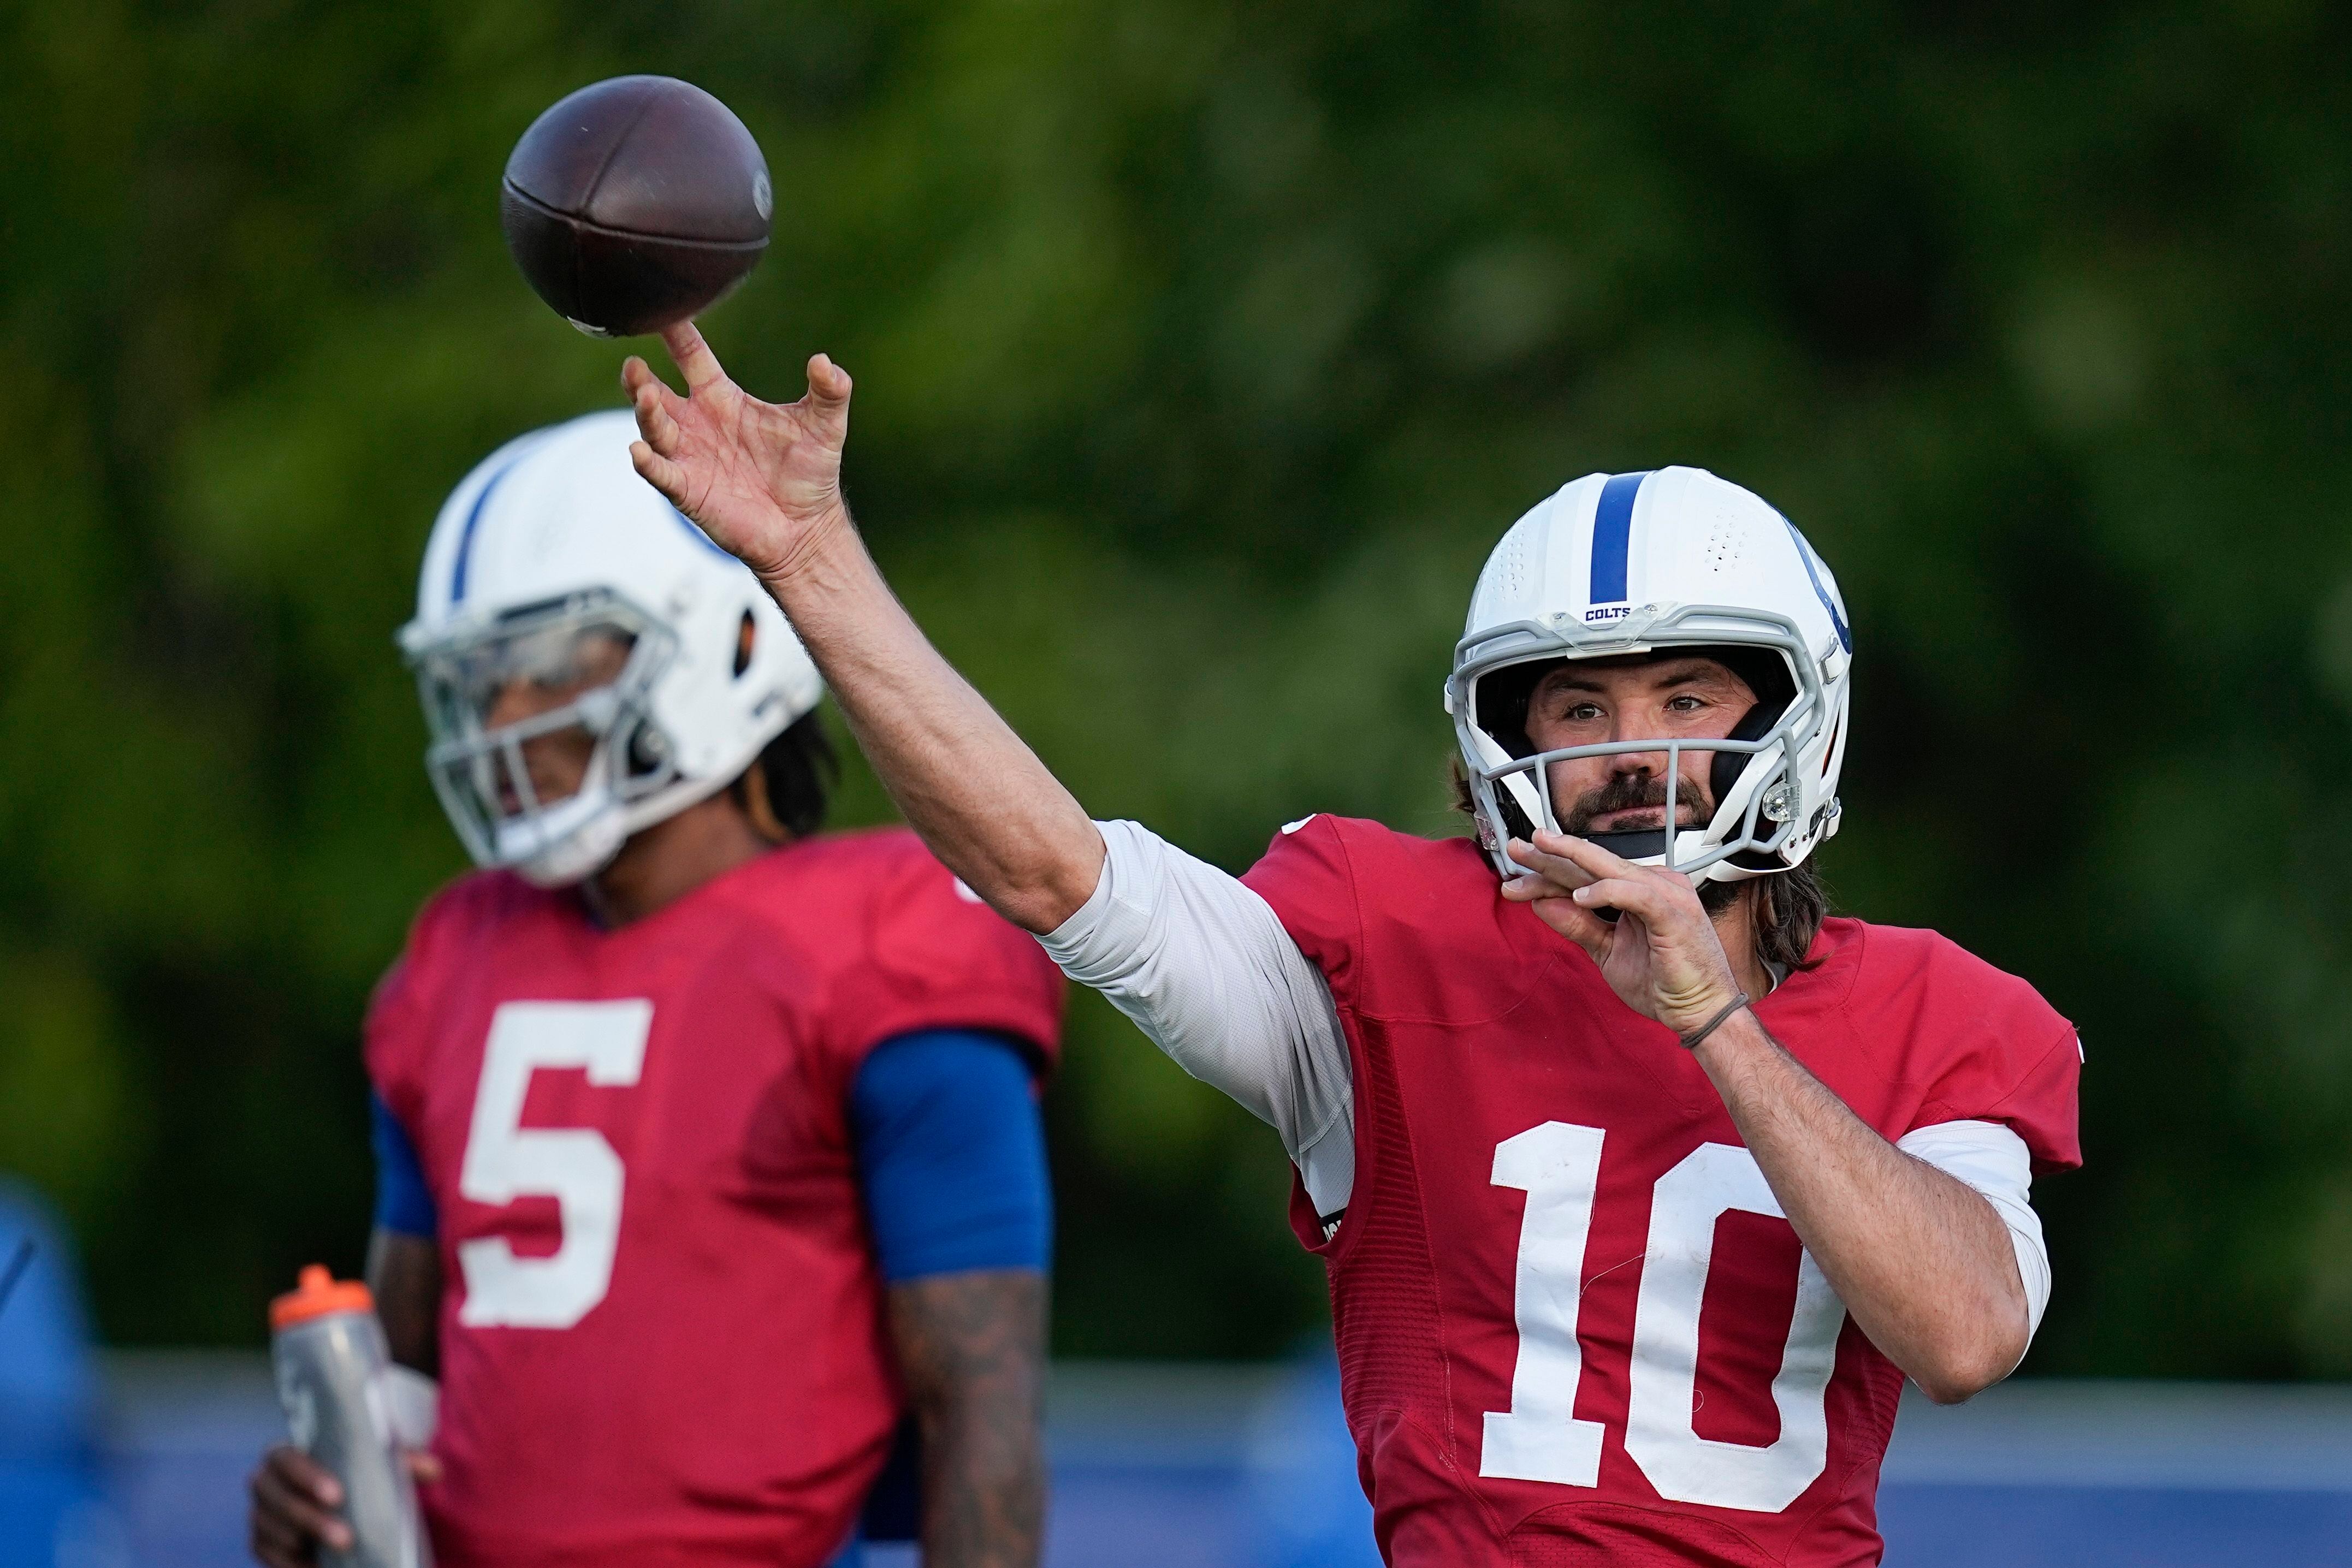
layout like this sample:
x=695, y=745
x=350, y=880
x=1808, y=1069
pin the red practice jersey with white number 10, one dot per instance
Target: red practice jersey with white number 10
x=1572, y=1322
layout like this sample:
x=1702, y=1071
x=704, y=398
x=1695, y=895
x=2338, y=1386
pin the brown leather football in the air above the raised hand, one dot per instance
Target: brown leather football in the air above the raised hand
x=636, y=203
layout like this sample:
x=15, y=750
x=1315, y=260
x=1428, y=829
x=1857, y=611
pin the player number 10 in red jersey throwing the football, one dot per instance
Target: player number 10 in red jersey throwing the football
x=1641, y=1186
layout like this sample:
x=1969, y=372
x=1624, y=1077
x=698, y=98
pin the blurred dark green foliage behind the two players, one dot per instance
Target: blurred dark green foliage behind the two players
x=1203, y=351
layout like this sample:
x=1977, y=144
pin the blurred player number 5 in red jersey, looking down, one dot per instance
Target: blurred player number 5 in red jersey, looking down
x=707, y=1146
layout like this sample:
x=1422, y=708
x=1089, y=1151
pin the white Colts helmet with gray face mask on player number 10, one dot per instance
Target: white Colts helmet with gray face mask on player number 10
x=1650, y=563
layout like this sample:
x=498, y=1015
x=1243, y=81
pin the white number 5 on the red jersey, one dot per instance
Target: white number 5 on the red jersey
x=507, y=1160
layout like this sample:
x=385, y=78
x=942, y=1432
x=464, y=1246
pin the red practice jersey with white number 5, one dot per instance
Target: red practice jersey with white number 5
x=662, y=1325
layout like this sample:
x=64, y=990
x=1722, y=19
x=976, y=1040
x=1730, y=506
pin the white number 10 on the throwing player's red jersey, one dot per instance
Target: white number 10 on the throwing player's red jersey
x=1539, y=1440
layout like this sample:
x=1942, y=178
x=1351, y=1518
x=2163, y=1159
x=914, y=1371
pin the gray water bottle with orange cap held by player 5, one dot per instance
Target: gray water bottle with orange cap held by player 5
x=333, y=1381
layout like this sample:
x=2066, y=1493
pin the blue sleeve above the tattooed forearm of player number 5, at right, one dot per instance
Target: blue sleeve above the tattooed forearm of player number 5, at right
x=951, y=1155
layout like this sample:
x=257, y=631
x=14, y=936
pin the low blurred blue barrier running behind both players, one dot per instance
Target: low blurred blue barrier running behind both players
x=1250, y=1468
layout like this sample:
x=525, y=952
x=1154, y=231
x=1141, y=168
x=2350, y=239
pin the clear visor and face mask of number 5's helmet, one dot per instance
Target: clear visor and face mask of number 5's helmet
x=540, y=730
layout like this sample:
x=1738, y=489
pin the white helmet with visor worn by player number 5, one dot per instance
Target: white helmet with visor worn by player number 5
x=554, y=563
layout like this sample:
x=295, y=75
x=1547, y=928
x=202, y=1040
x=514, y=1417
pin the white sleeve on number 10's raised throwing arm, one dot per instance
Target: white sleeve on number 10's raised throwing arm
x=1208, y=972
